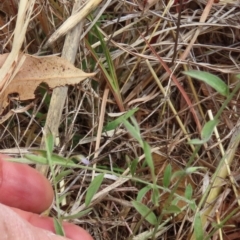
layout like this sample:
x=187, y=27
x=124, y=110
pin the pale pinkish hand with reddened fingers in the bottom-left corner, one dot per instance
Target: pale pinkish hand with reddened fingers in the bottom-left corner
x=24, y=195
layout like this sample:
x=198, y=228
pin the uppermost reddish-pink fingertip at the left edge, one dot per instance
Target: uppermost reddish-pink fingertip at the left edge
x=23, y=187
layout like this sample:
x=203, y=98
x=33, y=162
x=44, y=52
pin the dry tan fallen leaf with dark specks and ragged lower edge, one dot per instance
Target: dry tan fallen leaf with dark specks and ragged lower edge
x=52, y=70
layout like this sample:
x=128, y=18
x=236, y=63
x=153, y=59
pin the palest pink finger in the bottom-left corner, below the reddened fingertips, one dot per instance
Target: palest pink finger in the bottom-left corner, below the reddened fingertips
x=13, y=227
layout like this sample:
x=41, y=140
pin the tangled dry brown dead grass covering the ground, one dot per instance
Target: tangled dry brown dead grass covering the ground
x=165, y=118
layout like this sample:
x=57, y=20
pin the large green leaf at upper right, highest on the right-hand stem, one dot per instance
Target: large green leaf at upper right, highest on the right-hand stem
x=212, y=80
